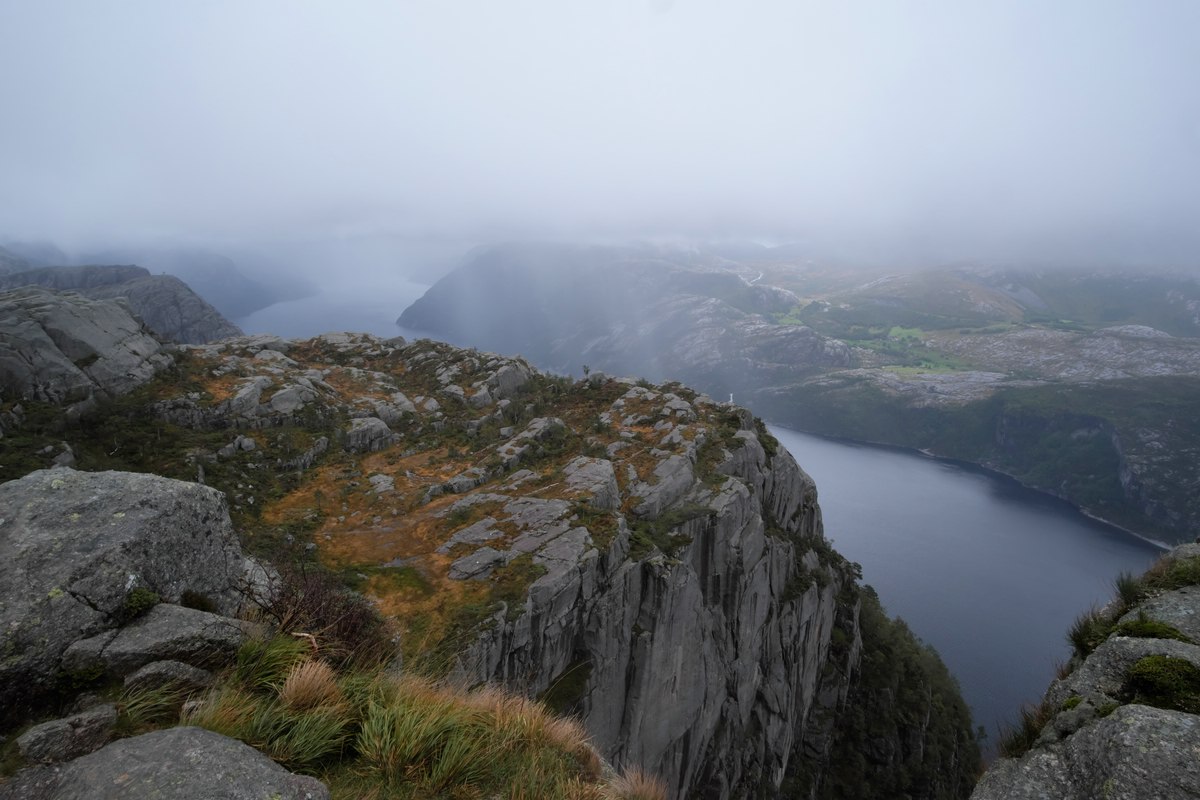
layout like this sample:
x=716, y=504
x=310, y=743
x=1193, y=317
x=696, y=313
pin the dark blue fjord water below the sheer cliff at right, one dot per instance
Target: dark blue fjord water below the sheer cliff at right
x=991, y=574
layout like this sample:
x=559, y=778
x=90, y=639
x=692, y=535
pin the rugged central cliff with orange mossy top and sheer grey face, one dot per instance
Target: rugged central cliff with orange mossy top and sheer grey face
x=640, y=556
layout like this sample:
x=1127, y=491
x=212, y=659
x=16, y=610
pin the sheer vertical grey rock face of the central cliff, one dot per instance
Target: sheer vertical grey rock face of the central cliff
x=704, y=669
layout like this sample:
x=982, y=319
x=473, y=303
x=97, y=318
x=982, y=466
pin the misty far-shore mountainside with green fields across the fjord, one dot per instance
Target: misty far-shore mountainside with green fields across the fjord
x=1081, y=383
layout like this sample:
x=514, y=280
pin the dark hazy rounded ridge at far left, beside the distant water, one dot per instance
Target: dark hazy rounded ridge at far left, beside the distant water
x=167, y=305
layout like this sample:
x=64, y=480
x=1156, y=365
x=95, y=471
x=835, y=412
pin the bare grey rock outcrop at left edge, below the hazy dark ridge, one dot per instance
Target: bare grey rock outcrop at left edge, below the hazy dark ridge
x=67, y=350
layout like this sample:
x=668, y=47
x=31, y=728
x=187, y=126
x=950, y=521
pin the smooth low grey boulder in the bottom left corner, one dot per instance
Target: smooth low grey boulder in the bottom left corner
x=170, y=765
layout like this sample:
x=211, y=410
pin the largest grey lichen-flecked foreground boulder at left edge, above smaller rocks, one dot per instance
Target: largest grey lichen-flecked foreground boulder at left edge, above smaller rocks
x=74, y=546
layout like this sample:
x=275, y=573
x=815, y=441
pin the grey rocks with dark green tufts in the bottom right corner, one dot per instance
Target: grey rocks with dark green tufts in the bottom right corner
x=1124, y=721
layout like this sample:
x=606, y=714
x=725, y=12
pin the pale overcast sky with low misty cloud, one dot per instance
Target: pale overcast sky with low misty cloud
x=985, y=125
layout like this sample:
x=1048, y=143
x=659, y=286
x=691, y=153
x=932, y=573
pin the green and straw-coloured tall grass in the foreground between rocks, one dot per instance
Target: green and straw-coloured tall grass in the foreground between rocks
x=374, y=735
